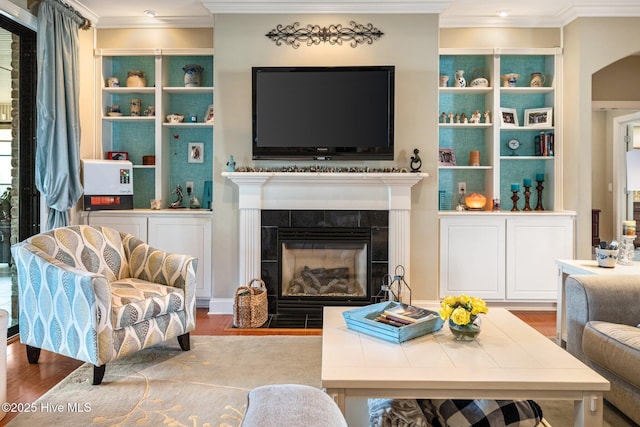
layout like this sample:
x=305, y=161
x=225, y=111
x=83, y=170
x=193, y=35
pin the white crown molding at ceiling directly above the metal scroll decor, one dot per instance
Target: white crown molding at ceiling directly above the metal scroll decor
x=320, y=6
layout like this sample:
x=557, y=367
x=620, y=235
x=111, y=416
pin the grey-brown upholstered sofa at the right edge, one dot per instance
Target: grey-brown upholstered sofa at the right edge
x=603, y=315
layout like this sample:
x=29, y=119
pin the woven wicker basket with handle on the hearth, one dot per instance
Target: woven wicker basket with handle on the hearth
x=250, y=308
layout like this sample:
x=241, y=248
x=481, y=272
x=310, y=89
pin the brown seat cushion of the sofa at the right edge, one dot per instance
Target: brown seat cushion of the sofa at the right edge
x=614, y=347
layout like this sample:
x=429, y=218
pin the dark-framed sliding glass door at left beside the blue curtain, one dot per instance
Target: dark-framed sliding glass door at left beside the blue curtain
x=19, y=199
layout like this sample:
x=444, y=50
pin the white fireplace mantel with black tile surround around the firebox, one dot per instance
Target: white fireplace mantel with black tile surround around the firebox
x=264, y=195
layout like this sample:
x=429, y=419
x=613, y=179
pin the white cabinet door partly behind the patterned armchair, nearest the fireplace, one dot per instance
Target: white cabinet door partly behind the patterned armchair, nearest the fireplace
x=186, y=235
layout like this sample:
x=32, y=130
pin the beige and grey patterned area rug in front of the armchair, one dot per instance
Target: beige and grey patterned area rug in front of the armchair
x=206, y=386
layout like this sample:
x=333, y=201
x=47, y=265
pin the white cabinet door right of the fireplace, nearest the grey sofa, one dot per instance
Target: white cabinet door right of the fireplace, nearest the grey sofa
x=533, y=246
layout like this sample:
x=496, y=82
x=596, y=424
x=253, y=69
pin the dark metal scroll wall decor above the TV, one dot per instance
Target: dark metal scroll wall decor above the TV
x=355, y=34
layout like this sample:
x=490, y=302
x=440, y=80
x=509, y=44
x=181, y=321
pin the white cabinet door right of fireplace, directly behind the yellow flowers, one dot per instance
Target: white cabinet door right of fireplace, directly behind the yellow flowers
x=472, y=257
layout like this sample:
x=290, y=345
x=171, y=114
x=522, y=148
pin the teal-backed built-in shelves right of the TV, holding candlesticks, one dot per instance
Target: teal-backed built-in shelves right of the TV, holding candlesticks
x=500, y=166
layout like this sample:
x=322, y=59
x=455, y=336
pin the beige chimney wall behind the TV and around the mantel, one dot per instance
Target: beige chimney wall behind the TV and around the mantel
x=410, y=42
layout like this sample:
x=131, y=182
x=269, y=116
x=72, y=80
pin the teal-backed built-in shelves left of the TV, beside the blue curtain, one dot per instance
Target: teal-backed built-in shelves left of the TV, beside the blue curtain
x=148, y=135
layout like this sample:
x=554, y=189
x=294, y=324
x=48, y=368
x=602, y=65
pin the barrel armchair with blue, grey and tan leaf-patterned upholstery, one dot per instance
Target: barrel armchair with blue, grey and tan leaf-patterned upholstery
x=95, y=294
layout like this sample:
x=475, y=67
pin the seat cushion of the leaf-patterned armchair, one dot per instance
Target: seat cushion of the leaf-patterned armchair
x=135, y=300
